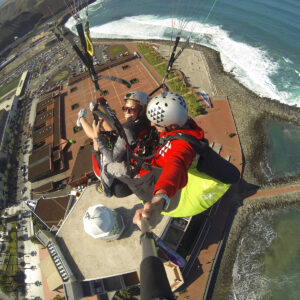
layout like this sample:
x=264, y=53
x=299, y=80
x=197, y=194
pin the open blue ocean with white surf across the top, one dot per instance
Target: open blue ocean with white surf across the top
x=258, y=40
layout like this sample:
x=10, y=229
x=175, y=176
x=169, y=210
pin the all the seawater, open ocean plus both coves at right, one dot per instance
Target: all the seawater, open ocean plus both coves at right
x=259, y=43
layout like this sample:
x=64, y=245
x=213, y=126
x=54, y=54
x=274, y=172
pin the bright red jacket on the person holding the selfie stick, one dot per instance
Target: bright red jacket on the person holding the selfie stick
x=174, y=158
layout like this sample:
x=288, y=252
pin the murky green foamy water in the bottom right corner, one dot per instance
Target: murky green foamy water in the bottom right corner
x=267, y=264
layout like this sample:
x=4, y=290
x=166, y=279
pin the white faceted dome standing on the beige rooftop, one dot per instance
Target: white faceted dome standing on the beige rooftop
x=102, y=222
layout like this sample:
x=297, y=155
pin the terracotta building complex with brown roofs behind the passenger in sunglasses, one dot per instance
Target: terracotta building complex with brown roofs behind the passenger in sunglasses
x=55, y=123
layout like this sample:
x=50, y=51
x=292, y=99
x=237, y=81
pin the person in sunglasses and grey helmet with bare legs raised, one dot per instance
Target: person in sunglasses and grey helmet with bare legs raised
x=136, y=126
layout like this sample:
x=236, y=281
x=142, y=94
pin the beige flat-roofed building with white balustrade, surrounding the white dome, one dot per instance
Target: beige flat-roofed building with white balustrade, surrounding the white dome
x=89, y=266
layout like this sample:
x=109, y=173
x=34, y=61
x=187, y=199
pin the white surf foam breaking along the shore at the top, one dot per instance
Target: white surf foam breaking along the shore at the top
x=251, y=66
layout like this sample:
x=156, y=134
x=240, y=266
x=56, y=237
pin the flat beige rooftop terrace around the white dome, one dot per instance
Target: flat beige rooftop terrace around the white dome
x=91, y=258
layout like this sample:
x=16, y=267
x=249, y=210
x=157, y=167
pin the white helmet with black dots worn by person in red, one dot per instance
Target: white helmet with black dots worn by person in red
x=166, y=109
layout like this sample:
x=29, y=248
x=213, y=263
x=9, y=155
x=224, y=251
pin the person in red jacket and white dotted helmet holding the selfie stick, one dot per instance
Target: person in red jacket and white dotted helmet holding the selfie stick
x=167, y=171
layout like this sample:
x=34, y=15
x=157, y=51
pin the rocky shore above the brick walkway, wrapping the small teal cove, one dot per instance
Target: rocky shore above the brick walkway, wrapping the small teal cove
x=249, y=111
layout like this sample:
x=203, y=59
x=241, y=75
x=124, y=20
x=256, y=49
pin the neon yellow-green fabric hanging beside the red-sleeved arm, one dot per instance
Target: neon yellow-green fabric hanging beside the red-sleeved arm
x=200, y=193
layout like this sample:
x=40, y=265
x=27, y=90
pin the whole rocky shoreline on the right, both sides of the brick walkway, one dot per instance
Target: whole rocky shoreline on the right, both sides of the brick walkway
x=249, y=111
